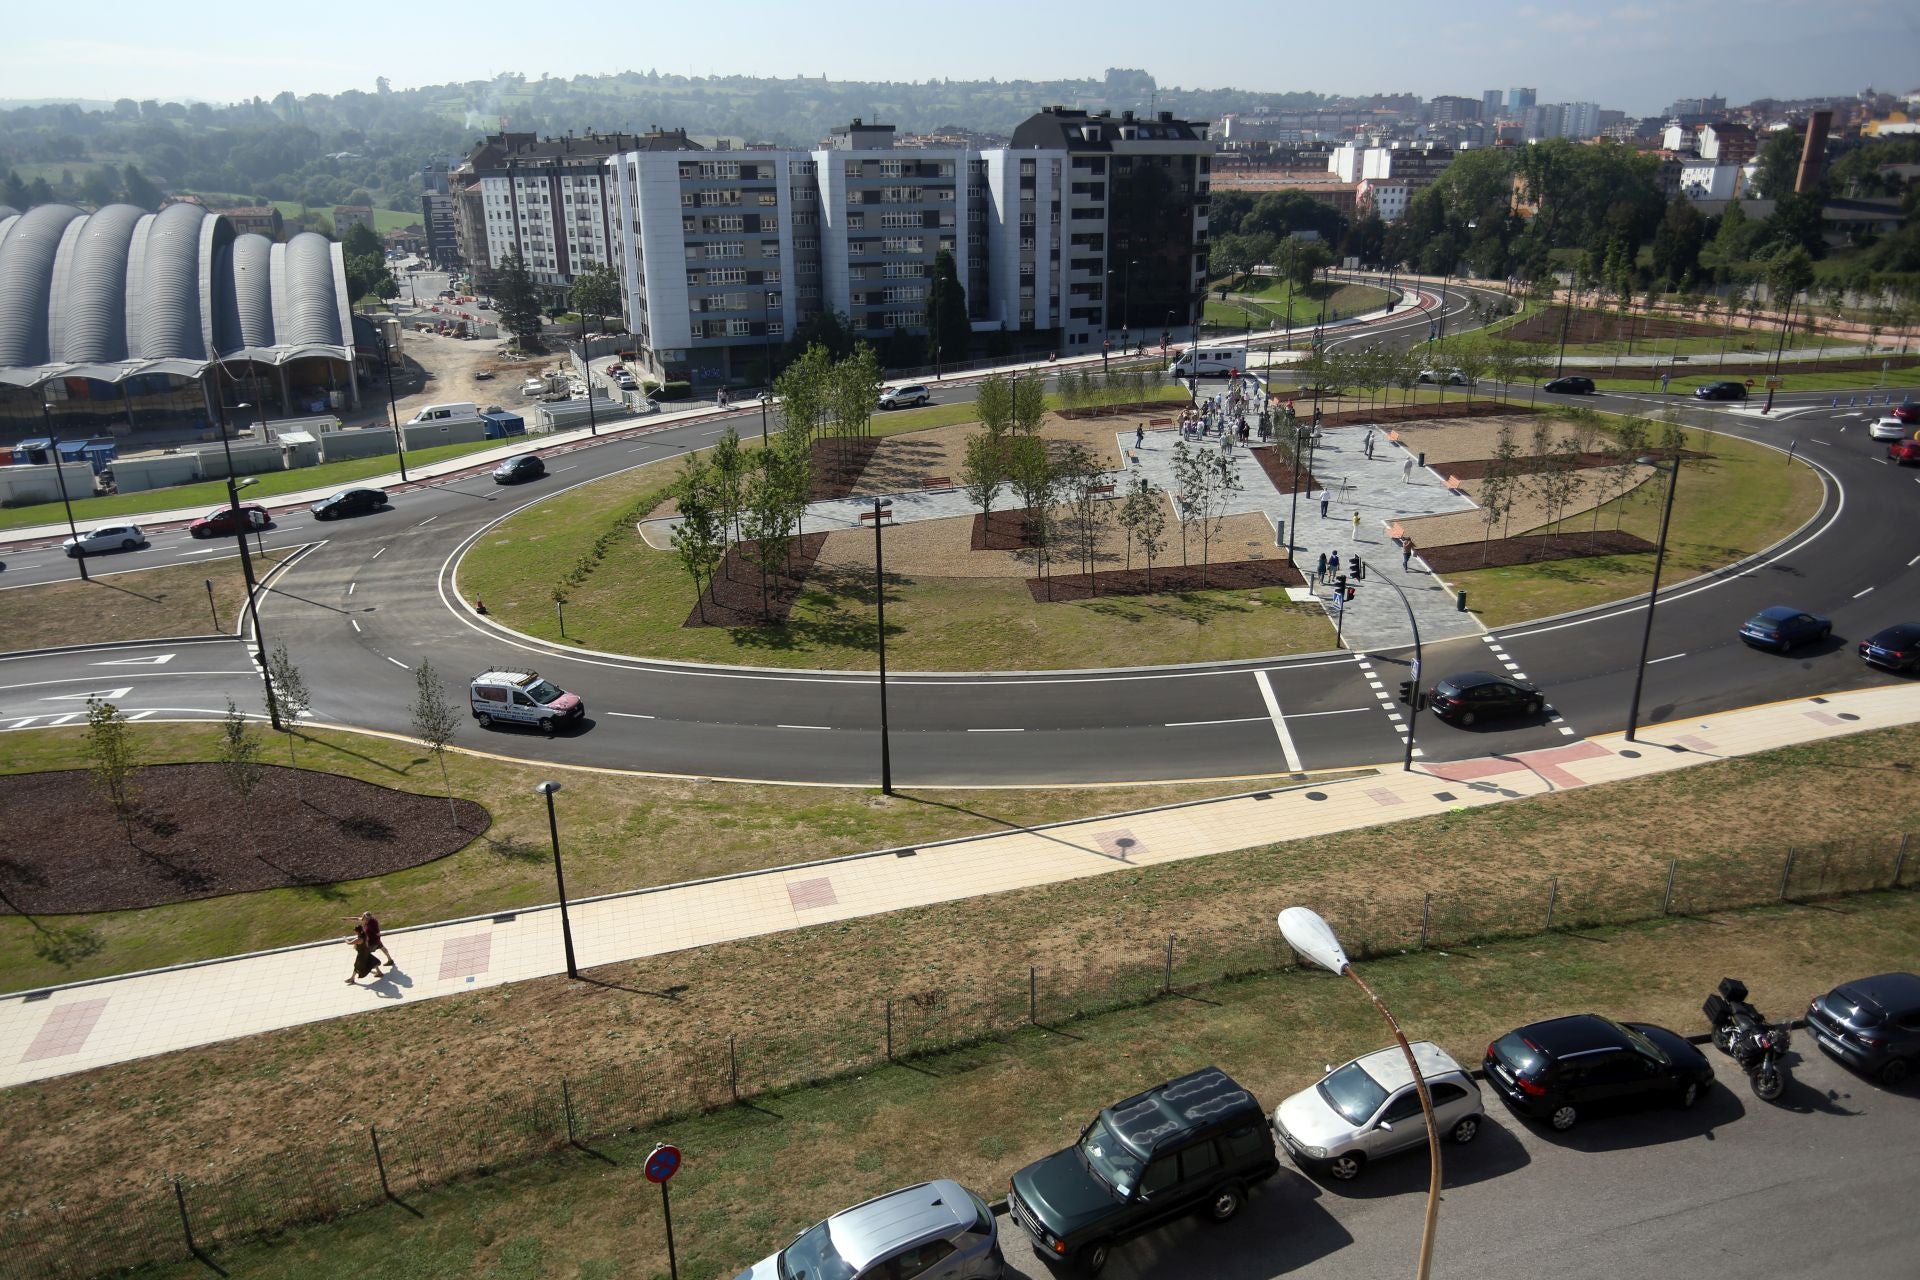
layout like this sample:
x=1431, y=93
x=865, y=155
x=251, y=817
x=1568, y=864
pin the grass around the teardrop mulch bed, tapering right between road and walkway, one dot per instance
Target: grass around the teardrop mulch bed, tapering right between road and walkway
x=621, y=834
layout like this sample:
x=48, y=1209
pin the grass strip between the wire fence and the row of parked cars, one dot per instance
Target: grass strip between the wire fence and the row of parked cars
x=982, y=1112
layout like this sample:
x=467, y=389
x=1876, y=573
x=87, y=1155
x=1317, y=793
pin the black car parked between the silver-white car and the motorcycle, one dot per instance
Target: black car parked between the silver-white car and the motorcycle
x=1568, y=1068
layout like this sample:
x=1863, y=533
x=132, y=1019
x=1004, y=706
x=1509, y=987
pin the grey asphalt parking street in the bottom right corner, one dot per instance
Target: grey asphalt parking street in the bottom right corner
x=1819, y=1185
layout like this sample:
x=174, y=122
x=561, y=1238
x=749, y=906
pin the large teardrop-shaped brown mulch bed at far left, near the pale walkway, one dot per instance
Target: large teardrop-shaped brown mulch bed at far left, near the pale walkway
x=191, y=836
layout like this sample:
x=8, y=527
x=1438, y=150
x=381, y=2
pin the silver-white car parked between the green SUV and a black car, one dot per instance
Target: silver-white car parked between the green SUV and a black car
x=1370, y=1108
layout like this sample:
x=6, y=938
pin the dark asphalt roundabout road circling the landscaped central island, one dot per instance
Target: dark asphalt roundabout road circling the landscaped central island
x=377, y=594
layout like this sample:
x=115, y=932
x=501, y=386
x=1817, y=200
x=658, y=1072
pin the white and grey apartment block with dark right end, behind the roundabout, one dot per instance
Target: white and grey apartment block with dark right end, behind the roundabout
x=1086, y=229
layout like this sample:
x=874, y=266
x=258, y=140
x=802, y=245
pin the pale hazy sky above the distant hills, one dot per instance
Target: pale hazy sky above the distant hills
x=1631, y=57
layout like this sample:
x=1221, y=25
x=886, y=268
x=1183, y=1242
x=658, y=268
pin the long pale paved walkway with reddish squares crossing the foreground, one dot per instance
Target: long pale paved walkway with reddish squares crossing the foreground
x=87, y=1026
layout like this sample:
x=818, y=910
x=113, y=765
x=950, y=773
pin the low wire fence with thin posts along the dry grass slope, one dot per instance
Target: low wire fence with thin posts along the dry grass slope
x=291, y=1185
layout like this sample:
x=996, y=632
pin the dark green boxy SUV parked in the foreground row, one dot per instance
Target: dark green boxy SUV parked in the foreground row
x=1197, y=1143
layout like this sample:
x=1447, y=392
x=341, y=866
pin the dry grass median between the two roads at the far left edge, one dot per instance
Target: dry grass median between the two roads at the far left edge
x=132, y=605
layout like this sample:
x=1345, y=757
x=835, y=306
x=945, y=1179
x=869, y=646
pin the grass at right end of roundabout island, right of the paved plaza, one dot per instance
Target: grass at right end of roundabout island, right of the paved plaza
x=1731, y=506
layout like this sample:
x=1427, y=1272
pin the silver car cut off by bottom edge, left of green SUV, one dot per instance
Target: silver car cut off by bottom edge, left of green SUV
x=934, y=1229
